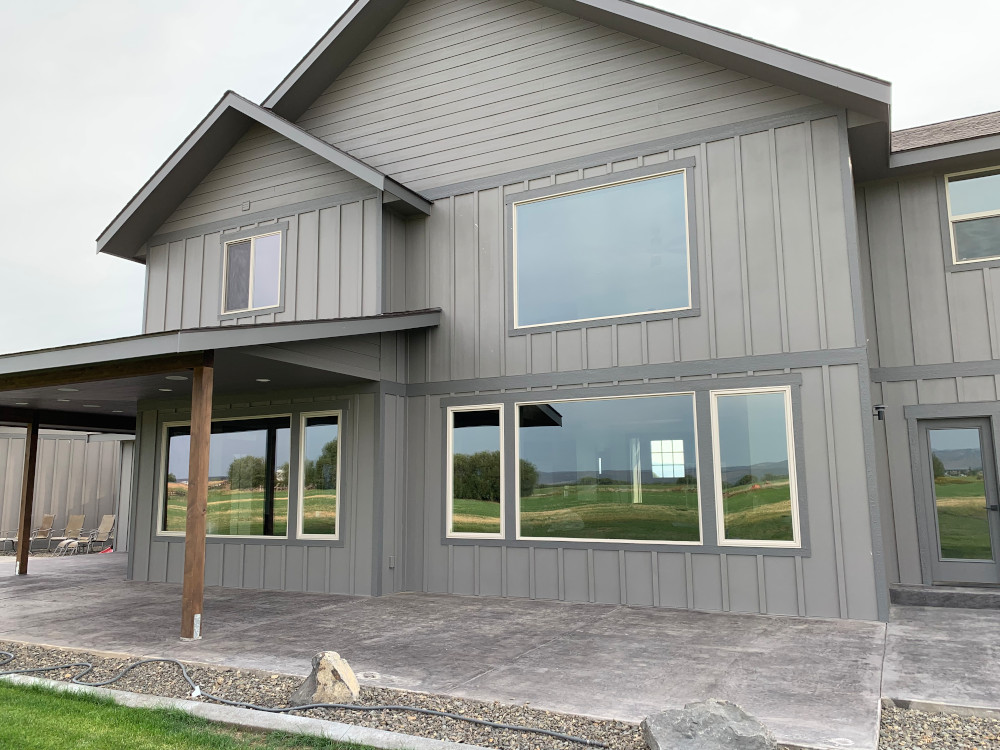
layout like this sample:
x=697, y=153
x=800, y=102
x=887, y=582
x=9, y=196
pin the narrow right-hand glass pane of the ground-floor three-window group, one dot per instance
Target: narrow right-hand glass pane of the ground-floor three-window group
x=754, y=467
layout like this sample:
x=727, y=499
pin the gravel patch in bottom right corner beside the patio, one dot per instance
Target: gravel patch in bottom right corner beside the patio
x=906, y=729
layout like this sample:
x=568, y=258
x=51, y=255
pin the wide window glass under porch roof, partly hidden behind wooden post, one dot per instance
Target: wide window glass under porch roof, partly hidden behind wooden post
x=247, y=478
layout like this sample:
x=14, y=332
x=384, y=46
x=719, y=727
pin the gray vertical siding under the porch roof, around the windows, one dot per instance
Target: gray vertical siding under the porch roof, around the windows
x=315, y=565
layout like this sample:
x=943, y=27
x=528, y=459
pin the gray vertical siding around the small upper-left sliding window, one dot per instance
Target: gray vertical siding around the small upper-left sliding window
x=332, y=270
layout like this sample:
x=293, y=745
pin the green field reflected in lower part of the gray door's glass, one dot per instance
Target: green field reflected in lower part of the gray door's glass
x=963, y=524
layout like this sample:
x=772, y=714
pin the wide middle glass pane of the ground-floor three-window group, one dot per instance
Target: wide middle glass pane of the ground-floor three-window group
x=594, y=472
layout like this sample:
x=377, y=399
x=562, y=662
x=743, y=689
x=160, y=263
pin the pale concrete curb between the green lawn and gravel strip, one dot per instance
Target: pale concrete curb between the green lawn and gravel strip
x=256, y=720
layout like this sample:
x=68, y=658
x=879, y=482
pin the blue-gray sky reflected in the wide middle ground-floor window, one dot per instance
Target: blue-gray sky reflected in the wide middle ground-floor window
x=593, y=430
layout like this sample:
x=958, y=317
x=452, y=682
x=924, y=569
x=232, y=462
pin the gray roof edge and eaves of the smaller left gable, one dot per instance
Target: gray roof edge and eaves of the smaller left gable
x=188, y=165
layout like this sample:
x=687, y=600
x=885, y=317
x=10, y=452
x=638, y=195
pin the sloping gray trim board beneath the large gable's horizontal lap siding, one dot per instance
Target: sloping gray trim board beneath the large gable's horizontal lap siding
x=684, y=140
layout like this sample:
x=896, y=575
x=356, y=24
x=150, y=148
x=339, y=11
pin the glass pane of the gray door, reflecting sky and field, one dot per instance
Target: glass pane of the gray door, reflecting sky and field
x=960, y=494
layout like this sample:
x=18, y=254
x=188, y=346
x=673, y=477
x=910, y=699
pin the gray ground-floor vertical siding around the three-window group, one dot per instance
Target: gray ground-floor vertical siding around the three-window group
x=834, y=580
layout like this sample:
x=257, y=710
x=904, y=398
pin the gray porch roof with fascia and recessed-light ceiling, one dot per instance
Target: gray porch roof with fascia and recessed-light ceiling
x=99, y=385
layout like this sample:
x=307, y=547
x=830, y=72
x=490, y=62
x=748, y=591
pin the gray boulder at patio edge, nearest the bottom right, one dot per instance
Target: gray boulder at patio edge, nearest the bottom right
x=706, y=725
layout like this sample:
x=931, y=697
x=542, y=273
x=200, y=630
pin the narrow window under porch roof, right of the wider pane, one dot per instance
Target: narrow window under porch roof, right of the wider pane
x=320, y=472
